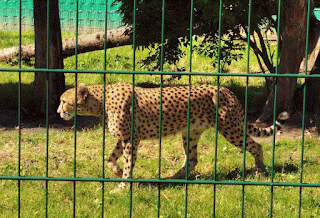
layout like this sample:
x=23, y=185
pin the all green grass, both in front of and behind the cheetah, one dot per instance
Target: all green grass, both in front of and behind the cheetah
x=88, y=195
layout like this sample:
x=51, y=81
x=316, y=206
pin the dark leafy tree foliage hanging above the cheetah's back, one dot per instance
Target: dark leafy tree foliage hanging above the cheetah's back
x=205, y=22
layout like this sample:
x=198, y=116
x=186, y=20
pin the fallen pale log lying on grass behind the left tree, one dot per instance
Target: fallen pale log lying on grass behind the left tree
x=86, y=43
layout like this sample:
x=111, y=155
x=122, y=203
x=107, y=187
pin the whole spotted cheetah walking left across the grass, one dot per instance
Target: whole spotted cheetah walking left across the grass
x=146, y=111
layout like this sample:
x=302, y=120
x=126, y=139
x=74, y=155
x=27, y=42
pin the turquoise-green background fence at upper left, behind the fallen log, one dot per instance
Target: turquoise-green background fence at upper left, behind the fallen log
x=91, y=15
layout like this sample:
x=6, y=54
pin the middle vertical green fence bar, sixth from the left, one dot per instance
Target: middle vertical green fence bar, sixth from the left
x=160, y=109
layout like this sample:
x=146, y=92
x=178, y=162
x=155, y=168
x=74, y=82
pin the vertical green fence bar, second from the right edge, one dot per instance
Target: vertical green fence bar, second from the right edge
x=275, y=108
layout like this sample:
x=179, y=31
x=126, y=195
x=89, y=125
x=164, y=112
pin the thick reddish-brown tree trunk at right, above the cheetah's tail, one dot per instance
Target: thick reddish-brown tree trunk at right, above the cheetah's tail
x=293, y=35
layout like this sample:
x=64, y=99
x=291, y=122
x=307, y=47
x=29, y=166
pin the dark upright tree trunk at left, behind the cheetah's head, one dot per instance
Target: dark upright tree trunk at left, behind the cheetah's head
x=56, y=81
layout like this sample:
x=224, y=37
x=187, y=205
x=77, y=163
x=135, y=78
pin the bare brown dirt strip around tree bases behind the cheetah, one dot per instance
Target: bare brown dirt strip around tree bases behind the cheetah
x=9, y=121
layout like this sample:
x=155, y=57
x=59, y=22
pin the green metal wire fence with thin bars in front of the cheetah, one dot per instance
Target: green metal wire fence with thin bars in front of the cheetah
x=105, y=181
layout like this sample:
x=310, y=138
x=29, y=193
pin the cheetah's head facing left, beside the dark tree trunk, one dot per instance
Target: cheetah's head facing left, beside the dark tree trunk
x=67, y=102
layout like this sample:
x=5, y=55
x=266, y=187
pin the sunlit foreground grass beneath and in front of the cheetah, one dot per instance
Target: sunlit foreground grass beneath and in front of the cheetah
x=145, y=196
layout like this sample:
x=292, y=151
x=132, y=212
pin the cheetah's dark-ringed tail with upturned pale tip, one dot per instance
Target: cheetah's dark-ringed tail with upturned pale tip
x=268, y=131
